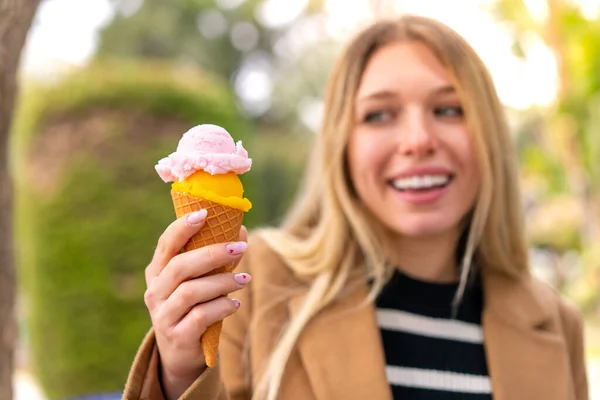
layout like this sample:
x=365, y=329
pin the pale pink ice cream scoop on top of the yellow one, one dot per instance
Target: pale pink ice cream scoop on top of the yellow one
x=204, y=147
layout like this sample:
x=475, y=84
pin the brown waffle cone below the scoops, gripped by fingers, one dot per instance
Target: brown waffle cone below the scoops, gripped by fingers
x=222, y=224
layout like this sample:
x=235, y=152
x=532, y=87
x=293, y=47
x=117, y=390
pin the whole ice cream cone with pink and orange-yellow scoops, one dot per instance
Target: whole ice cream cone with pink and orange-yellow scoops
x=204, y=170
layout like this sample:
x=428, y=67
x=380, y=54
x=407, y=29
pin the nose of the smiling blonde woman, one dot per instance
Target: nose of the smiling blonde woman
x=416, y=139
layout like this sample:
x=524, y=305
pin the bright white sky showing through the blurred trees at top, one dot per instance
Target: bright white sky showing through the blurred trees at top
x=65, y=35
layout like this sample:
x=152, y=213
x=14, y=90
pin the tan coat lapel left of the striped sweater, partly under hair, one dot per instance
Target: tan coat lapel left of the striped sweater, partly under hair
x=341, y=350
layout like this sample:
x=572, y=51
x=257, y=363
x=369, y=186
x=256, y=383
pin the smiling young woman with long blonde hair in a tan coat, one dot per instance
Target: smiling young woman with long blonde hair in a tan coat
x=402, y=270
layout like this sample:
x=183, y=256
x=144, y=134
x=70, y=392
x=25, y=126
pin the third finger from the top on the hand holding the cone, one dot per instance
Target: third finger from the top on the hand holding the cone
x=201, y=290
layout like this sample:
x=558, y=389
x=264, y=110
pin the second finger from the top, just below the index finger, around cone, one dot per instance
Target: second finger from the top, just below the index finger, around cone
x=192, y=264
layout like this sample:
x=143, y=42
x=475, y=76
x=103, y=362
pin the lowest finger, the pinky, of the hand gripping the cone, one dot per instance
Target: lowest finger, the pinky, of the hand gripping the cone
x=194, y=324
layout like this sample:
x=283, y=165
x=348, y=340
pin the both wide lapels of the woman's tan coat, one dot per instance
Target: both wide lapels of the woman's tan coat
x=527, y=359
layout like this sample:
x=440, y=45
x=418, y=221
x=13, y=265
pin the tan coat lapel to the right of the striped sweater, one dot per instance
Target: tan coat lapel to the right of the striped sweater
x=526, y=353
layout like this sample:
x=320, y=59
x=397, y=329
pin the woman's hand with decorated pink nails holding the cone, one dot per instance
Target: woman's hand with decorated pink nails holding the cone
x=183, y=304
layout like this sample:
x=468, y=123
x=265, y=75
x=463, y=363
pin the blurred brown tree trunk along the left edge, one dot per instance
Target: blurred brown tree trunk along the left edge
x=15, y=19
